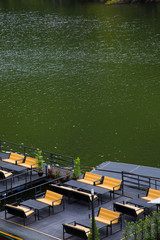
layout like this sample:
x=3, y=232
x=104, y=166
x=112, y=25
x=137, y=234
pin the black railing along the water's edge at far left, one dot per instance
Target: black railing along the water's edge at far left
x=49, y=157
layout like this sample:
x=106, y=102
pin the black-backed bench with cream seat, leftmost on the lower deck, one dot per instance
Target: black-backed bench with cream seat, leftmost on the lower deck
x=18, y=211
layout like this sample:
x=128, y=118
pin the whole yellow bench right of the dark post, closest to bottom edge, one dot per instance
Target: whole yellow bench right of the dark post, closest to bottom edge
x=109, y=218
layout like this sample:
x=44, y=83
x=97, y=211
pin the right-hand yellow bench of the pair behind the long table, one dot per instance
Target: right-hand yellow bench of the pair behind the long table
x=109, y=183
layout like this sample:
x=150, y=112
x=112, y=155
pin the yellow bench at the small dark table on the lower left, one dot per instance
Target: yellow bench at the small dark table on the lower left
x=52, y=199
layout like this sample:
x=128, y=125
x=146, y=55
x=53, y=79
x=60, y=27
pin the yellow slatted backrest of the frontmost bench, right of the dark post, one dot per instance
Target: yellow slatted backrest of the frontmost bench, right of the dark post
x=108, y=214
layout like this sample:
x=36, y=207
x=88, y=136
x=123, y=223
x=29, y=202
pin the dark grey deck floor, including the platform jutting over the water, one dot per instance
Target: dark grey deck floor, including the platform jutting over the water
x=50, y=227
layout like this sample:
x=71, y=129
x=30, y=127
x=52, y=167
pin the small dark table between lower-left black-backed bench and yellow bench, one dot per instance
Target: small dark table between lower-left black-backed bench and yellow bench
x=36, y=205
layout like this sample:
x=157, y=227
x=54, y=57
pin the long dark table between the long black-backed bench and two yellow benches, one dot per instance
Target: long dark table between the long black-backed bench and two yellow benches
x=87, y=187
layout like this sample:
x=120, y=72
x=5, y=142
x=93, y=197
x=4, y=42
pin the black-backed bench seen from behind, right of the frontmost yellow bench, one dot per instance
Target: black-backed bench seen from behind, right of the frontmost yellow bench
x=128, y=209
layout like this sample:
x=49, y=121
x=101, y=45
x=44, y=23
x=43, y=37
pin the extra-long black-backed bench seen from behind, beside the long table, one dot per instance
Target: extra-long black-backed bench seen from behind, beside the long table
x=70, y=192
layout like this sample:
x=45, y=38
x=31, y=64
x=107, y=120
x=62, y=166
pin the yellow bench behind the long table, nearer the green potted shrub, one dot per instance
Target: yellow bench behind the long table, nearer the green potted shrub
x=90, y=178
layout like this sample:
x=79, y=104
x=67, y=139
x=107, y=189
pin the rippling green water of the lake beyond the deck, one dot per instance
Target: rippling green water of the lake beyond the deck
x=81, y=79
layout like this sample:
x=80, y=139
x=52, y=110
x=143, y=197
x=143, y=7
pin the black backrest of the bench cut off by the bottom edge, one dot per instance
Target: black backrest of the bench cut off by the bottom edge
x=73, y=230
